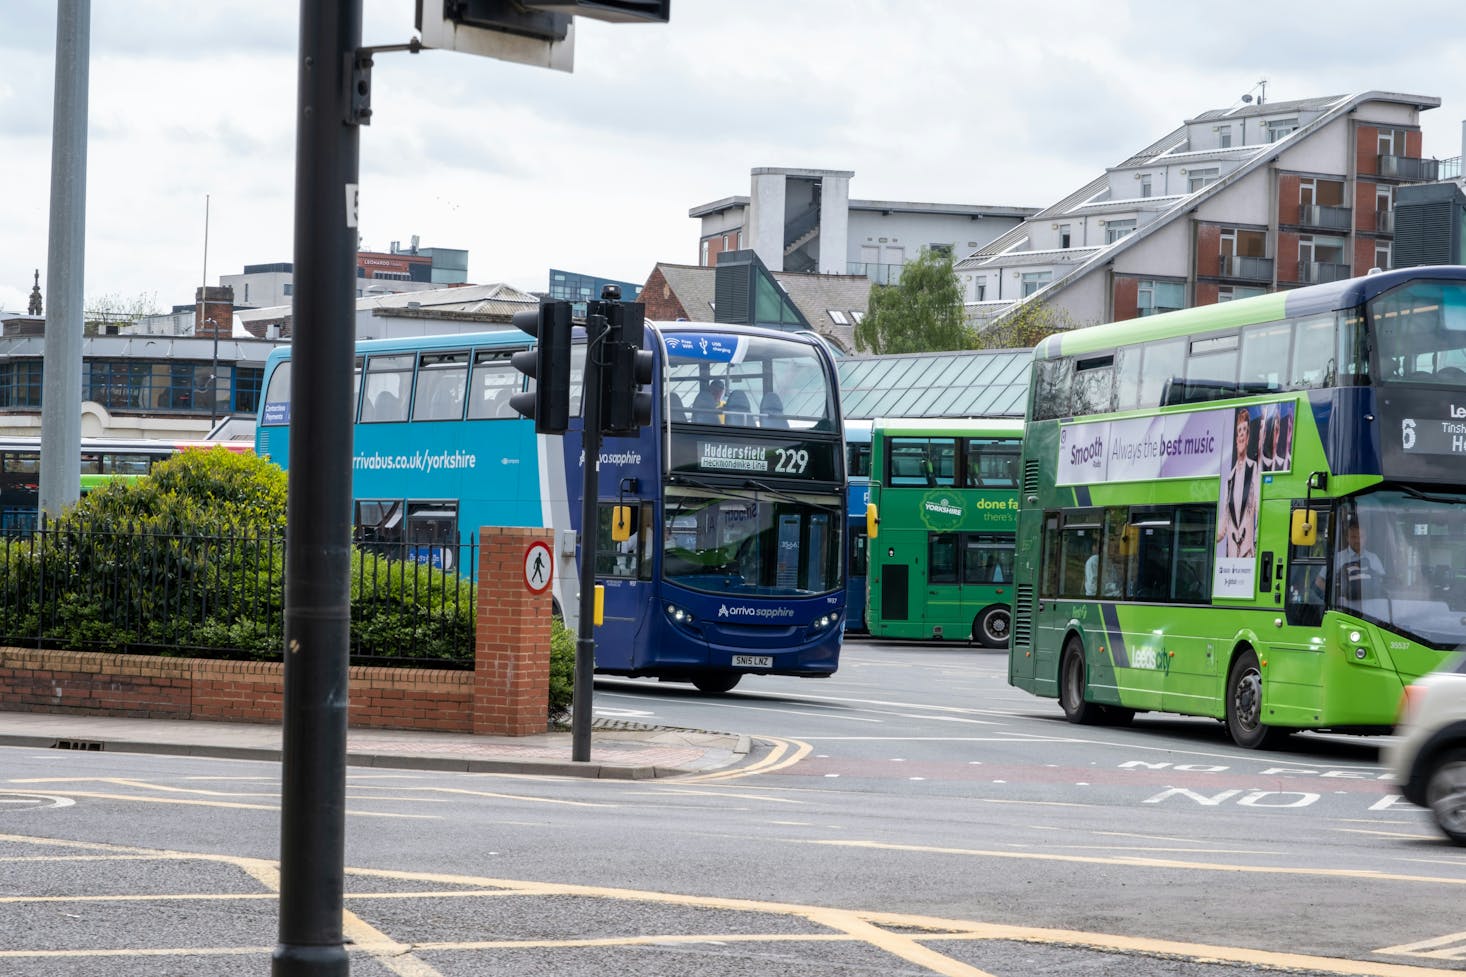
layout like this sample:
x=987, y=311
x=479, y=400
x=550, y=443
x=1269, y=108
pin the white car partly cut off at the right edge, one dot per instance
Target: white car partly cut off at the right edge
x=1427, y=759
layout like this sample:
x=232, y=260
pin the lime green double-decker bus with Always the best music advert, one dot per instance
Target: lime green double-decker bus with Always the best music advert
x=1253, y=511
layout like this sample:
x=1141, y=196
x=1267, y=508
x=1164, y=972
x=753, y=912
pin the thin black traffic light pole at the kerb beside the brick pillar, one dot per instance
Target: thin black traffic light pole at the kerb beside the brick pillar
x=590, y=508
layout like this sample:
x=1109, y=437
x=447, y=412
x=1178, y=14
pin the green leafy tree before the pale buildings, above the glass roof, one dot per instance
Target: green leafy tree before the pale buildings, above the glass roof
x=921, y=313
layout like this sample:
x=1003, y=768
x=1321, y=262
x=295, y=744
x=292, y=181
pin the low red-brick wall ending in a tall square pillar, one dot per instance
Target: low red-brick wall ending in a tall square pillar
x=507, y=693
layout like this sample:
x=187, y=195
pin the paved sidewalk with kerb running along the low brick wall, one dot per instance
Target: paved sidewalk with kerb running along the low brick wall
x=618, y=750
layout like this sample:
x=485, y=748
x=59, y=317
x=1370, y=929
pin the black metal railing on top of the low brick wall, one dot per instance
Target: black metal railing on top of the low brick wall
x=224, y=598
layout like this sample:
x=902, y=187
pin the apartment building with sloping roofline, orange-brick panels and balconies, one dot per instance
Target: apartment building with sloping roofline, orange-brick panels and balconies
x=1234, y=203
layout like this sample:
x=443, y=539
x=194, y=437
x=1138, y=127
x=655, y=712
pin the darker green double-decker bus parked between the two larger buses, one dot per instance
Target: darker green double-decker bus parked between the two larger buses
x=942, y=516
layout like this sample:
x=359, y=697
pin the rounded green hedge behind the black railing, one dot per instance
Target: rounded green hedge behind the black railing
x=191, y=561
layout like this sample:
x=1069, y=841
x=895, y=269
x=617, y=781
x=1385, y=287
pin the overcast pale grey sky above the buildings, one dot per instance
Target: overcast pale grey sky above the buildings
x=527, y=169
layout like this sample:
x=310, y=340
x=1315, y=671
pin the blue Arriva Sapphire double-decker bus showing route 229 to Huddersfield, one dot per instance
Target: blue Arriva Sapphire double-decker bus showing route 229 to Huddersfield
x=735, y=561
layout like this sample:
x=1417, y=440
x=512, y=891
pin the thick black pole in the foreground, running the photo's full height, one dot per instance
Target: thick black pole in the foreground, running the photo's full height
x=319, y=510
